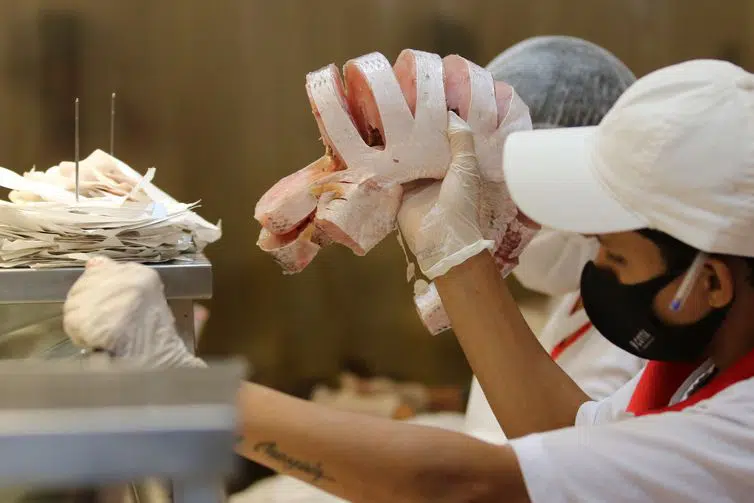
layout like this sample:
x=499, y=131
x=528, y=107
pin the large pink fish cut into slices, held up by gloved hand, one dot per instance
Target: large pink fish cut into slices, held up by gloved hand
x=384, y=126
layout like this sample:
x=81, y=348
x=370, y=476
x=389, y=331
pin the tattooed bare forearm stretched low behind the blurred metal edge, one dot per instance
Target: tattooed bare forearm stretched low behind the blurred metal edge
x=362, y=458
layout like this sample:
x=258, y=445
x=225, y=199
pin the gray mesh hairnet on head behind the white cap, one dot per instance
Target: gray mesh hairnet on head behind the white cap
x=565, y=81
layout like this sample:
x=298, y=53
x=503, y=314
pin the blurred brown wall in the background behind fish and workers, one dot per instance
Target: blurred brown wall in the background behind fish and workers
x=212, y=94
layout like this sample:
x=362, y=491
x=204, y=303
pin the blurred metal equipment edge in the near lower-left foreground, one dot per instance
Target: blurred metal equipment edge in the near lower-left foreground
x=88, y=423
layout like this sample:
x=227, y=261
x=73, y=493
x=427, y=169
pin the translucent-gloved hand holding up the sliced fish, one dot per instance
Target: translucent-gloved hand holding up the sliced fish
x=440, y=222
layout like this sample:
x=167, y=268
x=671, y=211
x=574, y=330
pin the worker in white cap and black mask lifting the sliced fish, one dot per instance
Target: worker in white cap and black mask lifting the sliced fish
x=665, y=183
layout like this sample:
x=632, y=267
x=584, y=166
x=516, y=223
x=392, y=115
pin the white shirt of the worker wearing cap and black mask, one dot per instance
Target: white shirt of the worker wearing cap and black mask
x=704, y=453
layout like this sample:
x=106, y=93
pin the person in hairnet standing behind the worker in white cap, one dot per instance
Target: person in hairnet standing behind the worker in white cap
x=566, y=82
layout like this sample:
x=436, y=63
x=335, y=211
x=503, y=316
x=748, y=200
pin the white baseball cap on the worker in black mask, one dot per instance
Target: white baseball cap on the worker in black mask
x=675, y=154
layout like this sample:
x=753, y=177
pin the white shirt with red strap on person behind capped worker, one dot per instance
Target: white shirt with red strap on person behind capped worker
x=594, y=363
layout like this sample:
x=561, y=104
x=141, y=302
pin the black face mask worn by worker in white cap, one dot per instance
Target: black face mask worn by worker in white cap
x=623, y=314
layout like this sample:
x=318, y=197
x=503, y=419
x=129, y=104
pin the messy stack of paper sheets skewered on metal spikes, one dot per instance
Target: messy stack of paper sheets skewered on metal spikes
x=119, y=214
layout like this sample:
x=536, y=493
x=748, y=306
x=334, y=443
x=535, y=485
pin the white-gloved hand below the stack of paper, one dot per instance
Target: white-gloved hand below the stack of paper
x=121, y=308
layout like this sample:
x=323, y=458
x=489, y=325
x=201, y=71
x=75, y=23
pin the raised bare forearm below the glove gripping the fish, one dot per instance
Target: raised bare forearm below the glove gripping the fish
x=527, y=391
